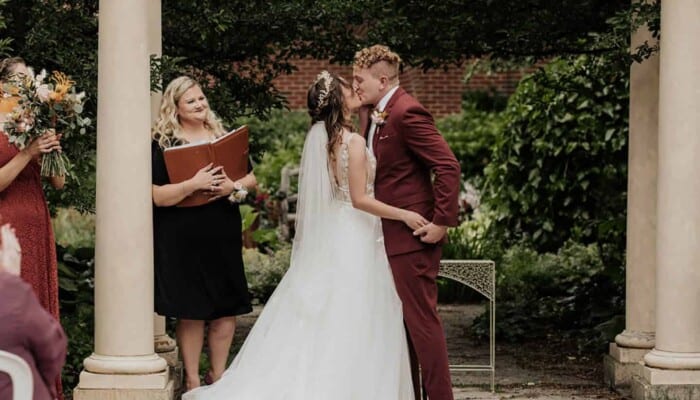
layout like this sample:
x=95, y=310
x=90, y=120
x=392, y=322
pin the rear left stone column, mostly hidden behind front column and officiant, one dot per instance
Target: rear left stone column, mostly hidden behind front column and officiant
x=164, y=345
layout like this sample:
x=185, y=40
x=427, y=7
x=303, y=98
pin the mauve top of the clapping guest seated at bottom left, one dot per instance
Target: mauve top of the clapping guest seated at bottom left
x=29, y=331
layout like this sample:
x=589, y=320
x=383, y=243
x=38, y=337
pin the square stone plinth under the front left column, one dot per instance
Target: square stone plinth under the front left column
x=124, y=387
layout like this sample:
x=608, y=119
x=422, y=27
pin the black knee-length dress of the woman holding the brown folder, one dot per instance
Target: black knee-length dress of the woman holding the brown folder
x=198, y=257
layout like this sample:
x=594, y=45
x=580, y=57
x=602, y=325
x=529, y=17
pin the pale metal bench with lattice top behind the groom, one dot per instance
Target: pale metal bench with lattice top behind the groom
x=479, y=275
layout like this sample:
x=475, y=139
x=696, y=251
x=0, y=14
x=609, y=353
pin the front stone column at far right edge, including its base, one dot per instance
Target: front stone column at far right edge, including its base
x=672, y=368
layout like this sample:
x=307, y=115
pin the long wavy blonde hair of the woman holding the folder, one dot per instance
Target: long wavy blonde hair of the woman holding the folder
x=167, y=130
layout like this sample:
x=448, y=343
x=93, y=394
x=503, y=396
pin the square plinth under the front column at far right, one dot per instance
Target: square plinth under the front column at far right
x=655, y=384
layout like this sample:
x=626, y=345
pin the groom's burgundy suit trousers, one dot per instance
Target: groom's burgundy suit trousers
x=414, y=276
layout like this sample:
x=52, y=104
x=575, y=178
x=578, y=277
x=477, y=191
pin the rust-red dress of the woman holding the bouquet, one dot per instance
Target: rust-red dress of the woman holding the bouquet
x=23, y=205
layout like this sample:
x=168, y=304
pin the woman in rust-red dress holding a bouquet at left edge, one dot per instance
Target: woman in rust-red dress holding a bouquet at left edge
x=22, y=201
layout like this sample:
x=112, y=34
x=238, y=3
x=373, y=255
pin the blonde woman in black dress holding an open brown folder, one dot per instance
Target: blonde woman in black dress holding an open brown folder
x=199, y=273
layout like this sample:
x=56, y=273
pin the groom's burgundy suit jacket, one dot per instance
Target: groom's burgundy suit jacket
x=409, y=149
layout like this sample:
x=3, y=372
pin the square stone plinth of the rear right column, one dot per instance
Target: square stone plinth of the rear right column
x=621, y=364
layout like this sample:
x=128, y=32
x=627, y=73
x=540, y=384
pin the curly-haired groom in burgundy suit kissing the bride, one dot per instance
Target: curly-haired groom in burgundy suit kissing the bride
x=409, y=149
